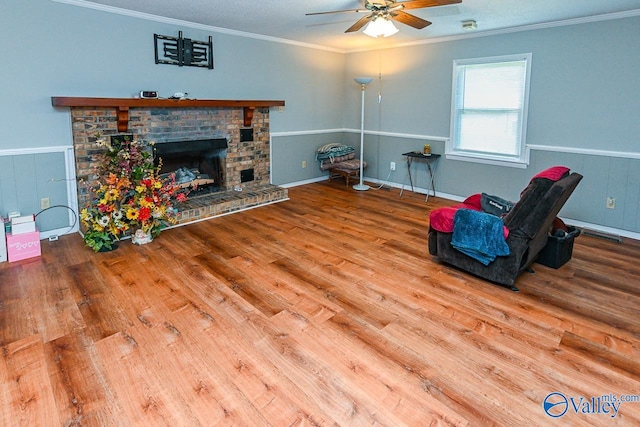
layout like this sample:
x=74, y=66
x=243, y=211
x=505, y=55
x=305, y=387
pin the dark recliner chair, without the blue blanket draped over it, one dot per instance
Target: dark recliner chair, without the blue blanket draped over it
x=528, y=225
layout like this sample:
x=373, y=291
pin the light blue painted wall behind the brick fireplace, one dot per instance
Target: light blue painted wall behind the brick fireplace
x=57, y=49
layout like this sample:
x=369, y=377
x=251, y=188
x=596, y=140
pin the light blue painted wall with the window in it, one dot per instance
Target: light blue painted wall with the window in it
x=583, y=113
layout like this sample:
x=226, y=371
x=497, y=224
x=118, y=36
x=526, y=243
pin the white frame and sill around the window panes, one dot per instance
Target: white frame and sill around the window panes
x=451, y=147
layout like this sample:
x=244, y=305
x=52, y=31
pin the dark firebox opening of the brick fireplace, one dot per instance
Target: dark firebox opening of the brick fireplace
x=198, y=165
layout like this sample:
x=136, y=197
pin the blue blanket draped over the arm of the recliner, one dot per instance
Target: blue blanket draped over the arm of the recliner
x=479, y=235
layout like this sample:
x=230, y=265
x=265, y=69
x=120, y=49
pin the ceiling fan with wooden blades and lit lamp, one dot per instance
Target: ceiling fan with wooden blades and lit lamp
x=387, y=10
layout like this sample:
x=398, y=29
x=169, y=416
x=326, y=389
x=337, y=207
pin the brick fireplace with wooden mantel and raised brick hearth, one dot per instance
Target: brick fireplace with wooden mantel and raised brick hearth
x=246, y=129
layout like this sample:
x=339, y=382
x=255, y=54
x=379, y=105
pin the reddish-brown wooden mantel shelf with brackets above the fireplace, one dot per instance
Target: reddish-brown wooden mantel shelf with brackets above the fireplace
x=122, y=105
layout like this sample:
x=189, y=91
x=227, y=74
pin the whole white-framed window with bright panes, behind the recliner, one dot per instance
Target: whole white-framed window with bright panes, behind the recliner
x=489, y=110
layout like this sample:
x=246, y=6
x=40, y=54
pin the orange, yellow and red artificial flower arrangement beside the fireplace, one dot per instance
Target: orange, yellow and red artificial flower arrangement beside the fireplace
x=130, y=195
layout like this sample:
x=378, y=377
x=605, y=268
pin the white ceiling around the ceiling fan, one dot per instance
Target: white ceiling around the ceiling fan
x=285, y=19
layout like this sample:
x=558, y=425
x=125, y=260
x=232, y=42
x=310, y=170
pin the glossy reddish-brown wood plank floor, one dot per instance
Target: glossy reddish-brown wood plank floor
x=322, y=310
